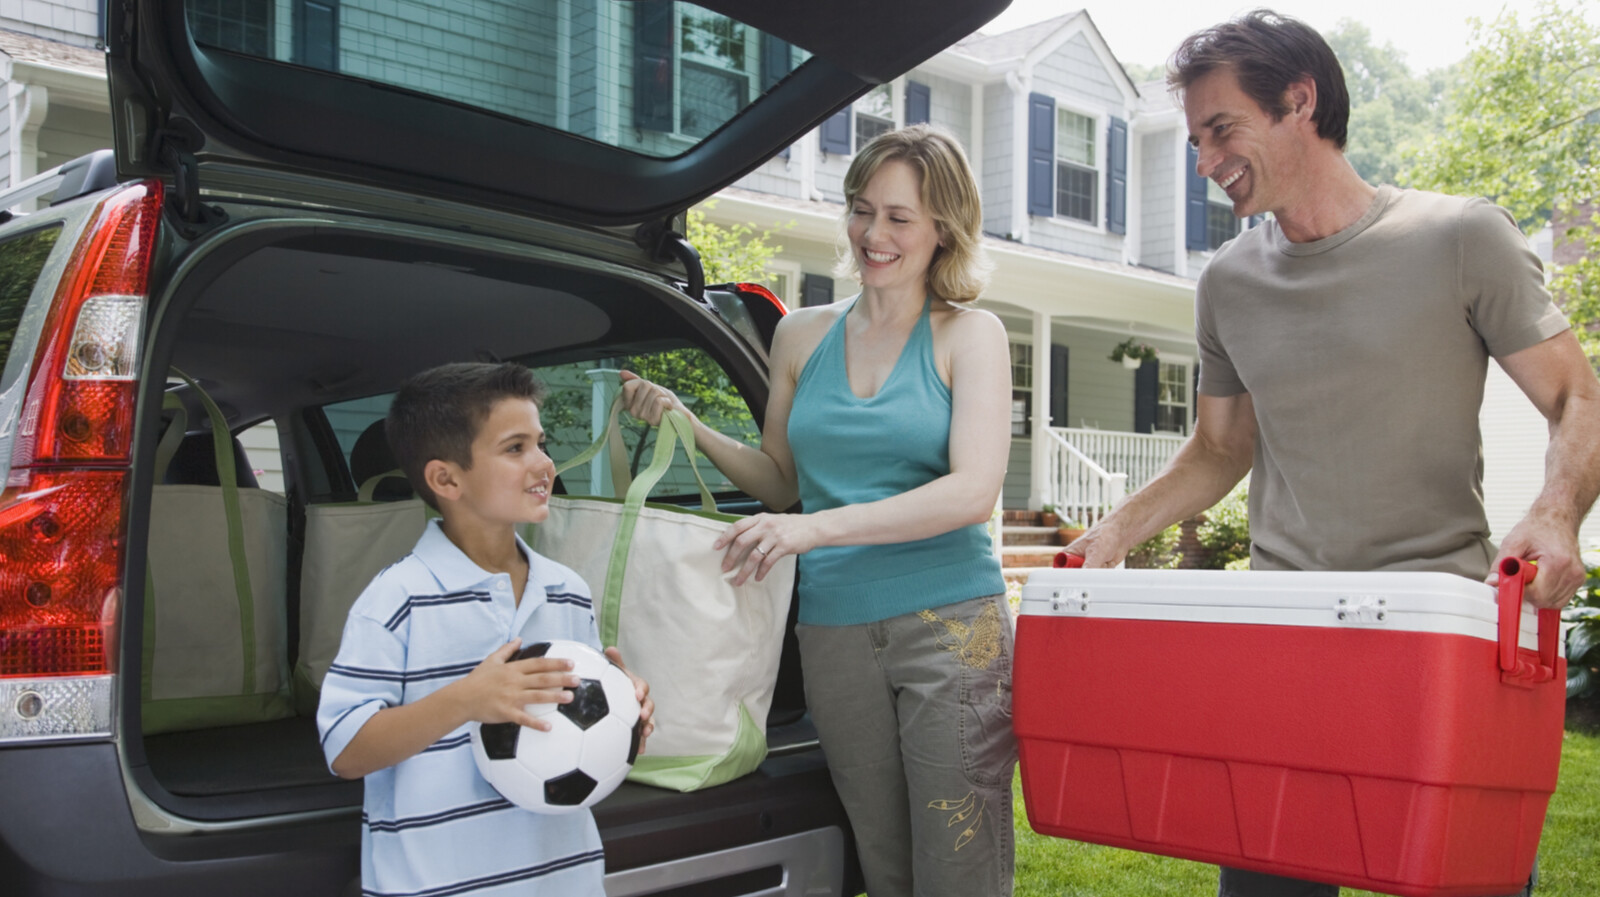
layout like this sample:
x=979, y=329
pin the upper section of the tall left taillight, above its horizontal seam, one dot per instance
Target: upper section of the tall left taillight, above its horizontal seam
x=81, y=399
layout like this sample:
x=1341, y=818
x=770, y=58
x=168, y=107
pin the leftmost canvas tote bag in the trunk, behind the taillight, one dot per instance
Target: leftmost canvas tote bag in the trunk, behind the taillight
x=215, y=596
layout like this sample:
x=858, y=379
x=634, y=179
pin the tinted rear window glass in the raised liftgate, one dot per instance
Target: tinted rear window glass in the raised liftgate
x=649, y=76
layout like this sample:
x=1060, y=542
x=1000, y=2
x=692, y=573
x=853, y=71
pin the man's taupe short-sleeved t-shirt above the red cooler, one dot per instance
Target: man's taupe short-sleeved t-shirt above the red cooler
x=1366, y=356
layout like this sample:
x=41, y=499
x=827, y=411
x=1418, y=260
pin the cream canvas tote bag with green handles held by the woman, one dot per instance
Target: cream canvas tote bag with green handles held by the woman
x=708, y=648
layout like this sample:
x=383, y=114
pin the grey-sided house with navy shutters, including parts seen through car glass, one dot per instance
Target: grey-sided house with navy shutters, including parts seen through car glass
x=1094, y=213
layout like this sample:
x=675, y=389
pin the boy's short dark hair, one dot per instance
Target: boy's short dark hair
x=439, y=413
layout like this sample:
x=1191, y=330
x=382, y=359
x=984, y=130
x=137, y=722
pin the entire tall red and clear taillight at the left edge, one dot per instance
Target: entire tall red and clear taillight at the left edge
x=62, y=512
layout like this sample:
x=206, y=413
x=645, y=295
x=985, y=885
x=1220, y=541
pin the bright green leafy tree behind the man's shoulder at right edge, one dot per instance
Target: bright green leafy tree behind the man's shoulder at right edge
x=1524, y=132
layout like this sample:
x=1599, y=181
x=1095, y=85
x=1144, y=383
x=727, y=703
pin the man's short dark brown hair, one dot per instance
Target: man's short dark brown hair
x=1268, y=52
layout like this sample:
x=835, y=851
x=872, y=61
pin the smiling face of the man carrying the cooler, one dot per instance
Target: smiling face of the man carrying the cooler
x=1242, y=149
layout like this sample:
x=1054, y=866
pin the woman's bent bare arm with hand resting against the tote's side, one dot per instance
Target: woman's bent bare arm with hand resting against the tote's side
x=980, y=444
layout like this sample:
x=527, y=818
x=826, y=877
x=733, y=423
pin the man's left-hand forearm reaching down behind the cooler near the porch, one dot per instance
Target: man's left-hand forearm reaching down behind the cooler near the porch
x=1210, y=463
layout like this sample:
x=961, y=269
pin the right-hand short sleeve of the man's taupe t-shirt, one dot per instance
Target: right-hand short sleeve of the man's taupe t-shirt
x=1503, y=282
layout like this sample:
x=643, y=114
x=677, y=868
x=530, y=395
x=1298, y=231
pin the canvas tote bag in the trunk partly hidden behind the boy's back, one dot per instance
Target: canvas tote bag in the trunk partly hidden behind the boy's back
x=346, y=546
